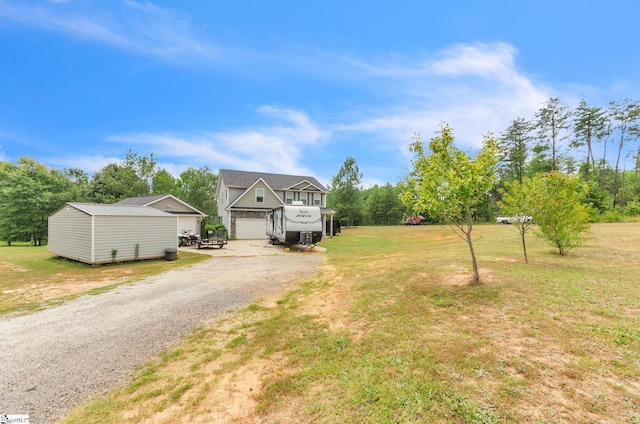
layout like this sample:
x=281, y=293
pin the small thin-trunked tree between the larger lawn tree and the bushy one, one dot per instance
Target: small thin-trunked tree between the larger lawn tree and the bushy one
x=517, y=202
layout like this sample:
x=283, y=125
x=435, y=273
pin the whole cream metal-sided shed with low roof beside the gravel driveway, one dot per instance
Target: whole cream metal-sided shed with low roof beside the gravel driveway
x=98, y=233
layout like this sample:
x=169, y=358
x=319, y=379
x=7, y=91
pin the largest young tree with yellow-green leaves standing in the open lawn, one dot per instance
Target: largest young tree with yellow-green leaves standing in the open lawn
x=448, y=184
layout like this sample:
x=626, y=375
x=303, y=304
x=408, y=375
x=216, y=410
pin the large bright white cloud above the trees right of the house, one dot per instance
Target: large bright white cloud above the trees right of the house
x=475, y=88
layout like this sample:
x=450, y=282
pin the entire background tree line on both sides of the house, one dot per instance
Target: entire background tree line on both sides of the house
x=590, y=142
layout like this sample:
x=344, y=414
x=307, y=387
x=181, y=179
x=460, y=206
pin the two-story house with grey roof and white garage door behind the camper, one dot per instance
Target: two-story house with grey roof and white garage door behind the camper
x=245, y=197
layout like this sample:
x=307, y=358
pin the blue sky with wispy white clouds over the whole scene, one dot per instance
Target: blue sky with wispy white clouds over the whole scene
x=294, y=86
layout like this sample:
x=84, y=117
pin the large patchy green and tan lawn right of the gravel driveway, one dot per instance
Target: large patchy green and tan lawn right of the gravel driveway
x=390, y=331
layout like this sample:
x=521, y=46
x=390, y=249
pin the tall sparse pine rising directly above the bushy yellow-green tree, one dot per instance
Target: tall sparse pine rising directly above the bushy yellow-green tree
x=551, y=121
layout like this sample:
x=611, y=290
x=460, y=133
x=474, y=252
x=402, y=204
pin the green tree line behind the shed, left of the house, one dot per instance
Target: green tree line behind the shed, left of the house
x=30, y=192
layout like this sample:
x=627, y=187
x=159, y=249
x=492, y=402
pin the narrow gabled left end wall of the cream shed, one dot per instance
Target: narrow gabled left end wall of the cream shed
x=70, y=234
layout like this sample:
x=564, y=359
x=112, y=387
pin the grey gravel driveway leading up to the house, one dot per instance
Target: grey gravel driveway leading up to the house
x=56, y=358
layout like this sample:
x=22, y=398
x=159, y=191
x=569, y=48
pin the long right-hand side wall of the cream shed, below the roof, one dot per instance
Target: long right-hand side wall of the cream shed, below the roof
x=152, y=234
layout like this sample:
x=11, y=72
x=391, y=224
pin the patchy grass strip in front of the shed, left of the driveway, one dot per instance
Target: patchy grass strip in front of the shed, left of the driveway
x=32, y=278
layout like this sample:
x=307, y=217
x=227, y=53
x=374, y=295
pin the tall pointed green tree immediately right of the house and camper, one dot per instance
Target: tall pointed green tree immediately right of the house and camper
x=345, y=192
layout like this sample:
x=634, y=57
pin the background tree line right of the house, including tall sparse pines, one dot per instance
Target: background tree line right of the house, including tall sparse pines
x=591, y=142
